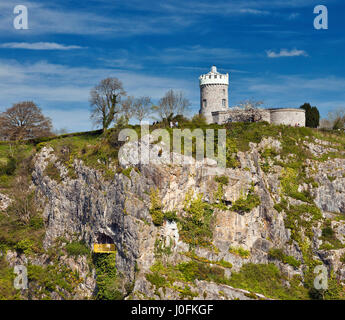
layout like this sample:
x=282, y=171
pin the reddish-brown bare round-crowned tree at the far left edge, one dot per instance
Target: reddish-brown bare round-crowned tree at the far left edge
x=24, y=120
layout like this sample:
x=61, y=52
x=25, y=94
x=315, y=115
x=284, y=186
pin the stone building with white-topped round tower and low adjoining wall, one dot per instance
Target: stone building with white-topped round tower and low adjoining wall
x=214, y=105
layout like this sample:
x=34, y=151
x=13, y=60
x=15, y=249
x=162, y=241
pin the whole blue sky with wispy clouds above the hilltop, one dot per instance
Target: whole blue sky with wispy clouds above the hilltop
x=269, y=47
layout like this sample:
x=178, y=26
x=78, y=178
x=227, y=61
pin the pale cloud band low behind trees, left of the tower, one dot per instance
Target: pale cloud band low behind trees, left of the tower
x=63, y=91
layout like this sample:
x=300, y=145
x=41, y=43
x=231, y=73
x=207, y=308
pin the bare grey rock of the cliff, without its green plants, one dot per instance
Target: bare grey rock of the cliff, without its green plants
x=119, y=210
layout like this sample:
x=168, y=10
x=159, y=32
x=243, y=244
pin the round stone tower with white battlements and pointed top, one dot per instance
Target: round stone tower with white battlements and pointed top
x=214, y=94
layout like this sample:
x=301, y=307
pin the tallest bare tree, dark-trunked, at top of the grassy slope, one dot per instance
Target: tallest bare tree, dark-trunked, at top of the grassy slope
x=105, y=101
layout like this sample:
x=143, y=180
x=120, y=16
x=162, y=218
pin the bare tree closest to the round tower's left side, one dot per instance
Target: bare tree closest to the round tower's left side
x=173, y=103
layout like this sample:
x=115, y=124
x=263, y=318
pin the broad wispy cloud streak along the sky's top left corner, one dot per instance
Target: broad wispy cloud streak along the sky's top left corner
x=57, y=18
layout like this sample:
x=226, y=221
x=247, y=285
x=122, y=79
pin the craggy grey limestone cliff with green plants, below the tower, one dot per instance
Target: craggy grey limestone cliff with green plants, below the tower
x=268, y=209
